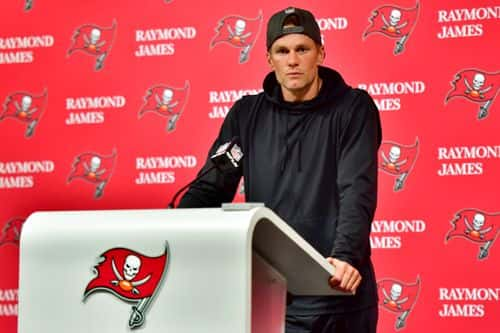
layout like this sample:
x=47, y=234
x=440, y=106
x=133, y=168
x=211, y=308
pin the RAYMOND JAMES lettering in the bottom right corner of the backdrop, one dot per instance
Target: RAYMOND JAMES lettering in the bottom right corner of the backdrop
x=466, y=302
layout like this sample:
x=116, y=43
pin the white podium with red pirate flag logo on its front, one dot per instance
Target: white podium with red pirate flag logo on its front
x=183, y=271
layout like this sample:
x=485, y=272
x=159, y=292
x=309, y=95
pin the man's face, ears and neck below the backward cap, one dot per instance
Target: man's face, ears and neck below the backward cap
x=295, y=59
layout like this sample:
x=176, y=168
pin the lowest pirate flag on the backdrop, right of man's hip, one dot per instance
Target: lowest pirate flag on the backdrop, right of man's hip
x=398, y=297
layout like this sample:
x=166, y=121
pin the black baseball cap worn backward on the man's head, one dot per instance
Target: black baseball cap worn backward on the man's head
x=307, y=25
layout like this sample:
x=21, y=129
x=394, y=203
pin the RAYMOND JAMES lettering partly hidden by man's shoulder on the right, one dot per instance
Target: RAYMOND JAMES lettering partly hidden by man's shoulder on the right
x=392, y=92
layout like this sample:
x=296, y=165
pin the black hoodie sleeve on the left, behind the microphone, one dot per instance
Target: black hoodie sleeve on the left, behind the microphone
x=215, y=187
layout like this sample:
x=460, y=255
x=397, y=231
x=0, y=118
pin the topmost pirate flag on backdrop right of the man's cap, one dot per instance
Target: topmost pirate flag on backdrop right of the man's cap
x=393, y=22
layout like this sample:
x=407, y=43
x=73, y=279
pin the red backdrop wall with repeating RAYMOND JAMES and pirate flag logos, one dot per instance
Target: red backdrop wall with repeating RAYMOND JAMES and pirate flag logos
x=109, y=106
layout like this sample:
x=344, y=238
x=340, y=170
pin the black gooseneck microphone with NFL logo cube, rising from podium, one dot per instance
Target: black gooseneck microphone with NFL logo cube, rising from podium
x=226, y=158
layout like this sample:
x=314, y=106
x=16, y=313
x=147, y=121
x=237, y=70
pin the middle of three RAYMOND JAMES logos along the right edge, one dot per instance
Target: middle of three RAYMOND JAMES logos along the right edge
x=472, y=153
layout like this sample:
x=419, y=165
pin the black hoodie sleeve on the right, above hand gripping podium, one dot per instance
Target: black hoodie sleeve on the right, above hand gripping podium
x=357, y=180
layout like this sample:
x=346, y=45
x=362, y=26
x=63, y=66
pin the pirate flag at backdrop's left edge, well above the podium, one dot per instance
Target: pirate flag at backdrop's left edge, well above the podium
x=25, y=107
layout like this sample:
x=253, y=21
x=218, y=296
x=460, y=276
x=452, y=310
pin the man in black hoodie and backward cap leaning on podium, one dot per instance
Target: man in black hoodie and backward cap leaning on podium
x=310, y=146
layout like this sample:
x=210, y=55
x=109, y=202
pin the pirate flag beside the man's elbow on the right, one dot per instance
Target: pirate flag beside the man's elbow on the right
x=398, y=160
